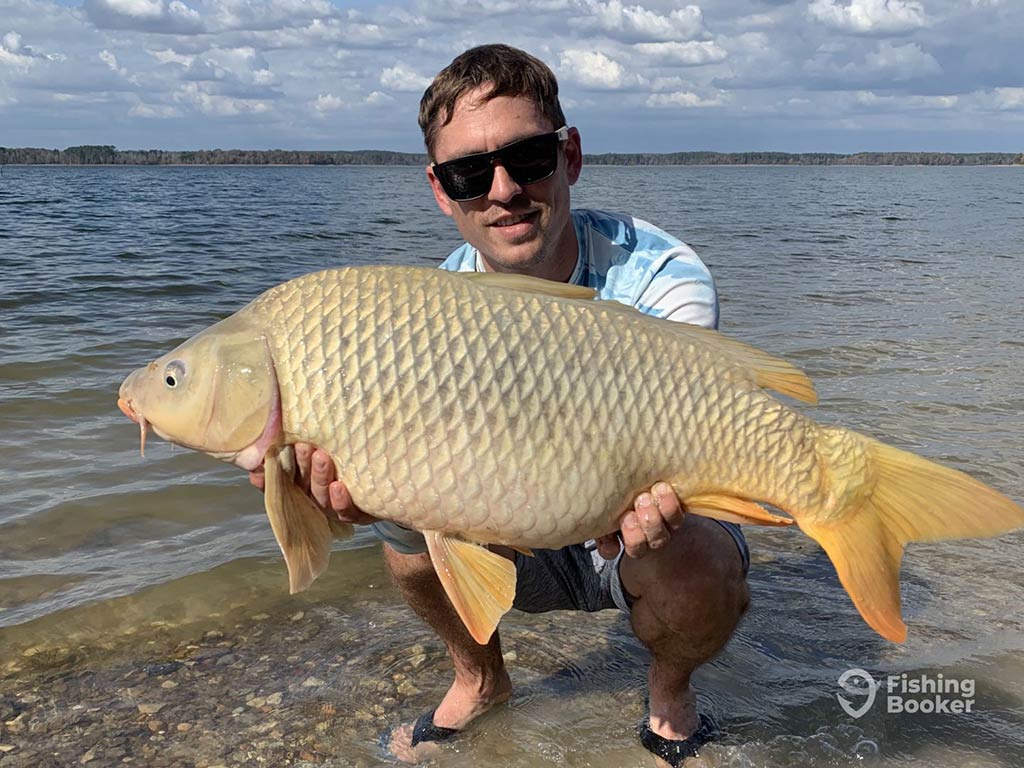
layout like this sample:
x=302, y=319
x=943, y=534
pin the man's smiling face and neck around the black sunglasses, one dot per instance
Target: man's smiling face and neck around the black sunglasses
x=519, y=229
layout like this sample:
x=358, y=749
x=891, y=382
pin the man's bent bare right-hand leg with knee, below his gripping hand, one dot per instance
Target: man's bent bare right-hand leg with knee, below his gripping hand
x=689, y=598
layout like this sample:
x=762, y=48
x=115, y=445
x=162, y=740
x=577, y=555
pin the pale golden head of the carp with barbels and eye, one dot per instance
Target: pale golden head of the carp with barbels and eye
x=217, y=393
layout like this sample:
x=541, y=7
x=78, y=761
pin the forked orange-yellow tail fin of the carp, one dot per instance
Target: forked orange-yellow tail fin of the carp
x=908, y=499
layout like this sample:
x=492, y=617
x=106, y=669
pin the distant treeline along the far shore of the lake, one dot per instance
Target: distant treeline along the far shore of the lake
x=104, y=155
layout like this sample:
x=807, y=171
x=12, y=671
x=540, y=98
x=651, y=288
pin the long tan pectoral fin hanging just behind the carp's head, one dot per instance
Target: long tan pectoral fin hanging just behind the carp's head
x=301, y=528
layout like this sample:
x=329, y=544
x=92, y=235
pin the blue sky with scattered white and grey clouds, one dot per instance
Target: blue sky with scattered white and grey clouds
x=656, y=76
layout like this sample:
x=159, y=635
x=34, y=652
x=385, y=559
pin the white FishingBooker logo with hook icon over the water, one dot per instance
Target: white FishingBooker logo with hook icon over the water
x=927, y=695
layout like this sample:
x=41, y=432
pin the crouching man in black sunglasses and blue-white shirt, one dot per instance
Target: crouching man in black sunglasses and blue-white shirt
x=503, y=162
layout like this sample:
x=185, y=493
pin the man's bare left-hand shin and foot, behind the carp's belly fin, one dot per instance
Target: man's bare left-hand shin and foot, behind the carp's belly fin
x=481, y=678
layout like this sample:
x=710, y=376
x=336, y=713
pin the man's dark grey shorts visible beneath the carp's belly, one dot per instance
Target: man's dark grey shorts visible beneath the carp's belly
x=575, y=578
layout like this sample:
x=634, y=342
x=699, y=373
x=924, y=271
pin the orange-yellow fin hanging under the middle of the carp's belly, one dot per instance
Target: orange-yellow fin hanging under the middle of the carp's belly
x=480, y=584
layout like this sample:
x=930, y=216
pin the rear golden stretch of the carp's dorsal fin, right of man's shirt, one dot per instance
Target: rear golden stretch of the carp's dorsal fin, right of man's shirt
x=770, y=372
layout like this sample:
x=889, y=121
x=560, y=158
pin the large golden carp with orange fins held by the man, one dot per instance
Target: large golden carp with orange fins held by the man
x=491, y=409
